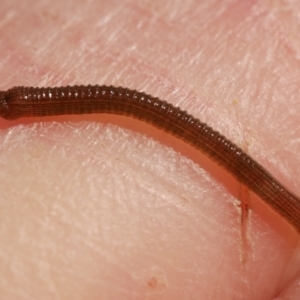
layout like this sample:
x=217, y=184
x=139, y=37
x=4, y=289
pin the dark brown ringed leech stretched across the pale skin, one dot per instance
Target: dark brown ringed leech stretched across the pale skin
x=29, y=102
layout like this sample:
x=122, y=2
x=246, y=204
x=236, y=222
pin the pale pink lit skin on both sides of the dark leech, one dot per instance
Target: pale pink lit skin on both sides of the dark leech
x=94, y=211
